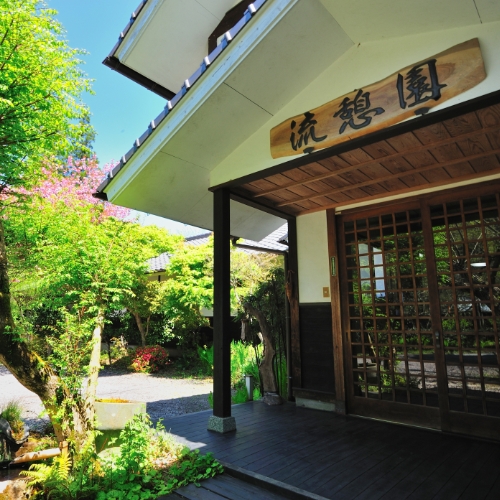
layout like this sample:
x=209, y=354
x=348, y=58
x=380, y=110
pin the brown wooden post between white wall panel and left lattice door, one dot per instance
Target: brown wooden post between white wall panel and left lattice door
x=338, y=350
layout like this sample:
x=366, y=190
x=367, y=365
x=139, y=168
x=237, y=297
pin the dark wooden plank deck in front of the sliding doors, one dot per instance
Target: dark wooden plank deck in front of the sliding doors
x=347, y=457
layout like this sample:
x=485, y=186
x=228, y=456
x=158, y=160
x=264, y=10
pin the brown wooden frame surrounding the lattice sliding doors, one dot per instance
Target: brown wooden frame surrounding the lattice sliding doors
x=336, y=241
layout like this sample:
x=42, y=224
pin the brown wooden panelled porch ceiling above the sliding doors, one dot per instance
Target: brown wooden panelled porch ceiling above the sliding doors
x=461, y=150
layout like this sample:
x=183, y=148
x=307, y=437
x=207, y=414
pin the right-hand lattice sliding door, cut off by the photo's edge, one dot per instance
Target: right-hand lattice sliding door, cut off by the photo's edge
x=466, y=238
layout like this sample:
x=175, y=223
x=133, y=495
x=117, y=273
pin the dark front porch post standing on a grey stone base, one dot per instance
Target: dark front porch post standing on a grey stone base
x=221, y=420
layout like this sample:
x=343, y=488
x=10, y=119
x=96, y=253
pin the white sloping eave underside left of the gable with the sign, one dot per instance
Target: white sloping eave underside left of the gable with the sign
x=169, y=175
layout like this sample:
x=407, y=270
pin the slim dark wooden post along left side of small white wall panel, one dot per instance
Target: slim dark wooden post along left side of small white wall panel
x=293, y=267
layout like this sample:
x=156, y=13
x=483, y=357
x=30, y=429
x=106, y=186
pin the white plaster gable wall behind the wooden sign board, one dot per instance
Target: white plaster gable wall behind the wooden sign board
x=361, y=65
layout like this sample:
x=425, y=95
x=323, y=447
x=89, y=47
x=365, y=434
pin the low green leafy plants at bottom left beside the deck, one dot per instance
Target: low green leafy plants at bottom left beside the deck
x=149, y=463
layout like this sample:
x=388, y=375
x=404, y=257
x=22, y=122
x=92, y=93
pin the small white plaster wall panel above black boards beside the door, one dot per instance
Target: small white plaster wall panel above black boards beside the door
x=312, y=250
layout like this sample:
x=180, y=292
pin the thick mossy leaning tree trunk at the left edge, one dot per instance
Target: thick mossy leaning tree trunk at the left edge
x=26, y=366
